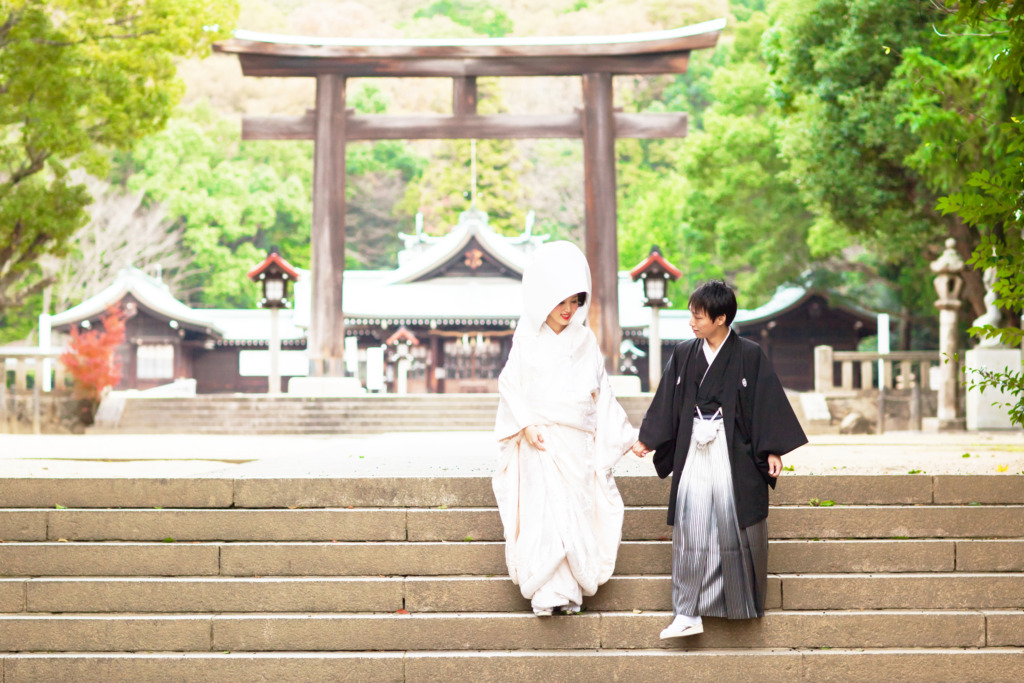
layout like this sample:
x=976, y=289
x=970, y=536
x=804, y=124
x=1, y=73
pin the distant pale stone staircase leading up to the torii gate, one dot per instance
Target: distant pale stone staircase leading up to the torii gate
x=260, y=414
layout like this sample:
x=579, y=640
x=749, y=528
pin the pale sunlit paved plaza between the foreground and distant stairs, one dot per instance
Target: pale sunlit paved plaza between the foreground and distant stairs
x=456, y=454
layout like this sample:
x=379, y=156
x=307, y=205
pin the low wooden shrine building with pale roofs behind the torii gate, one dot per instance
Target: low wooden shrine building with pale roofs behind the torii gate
x=449, y=311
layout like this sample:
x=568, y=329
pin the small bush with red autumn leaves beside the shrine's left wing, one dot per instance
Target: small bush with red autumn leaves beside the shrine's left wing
x=92, y=356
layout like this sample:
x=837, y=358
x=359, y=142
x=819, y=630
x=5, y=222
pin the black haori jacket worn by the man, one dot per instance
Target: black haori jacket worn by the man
x=759, y=421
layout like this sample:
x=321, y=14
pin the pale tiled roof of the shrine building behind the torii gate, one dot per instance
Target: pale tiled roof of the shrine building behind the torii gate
x=409, y=296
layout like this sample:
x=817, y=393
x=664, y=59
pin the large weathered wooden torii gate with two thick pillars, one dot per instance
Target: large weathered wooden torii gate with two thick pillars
x=330, y=125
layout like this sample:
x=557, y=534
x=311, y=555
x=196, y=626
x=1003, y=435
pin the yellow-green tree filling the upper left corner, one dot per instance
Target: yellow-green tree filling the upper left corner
x=78, y=79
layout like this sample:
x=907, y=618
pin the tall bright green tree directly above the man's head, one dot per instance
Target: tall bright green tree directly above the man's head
x=744, y=196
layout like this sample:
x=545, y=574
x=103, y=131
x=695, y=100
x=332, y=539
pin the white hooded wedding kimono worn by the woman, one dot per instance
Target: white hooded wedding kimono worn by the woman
x=561, y=508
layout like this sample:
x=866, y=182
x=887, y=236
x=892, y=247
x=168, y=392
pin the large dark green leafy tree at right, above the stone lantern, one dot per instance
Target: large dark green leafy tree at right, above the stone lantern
x=836, y=71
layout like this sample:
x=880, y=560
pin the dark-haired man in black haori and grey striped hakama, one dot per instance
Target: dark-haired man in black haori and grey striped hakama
x=719, y=423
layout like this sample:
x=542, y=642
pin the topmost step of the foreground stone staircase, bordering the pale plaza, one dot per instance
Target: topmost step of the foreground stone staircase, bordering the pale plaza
x=219, y=492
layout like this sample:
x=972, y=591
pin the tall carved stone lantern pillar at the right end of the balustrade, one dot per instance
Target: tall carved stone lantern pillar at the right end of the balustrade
x=949, y=285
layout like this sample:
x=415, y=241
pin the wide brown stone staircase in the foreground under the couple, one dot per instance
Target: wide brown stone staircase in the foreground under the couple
x=911, y=579
